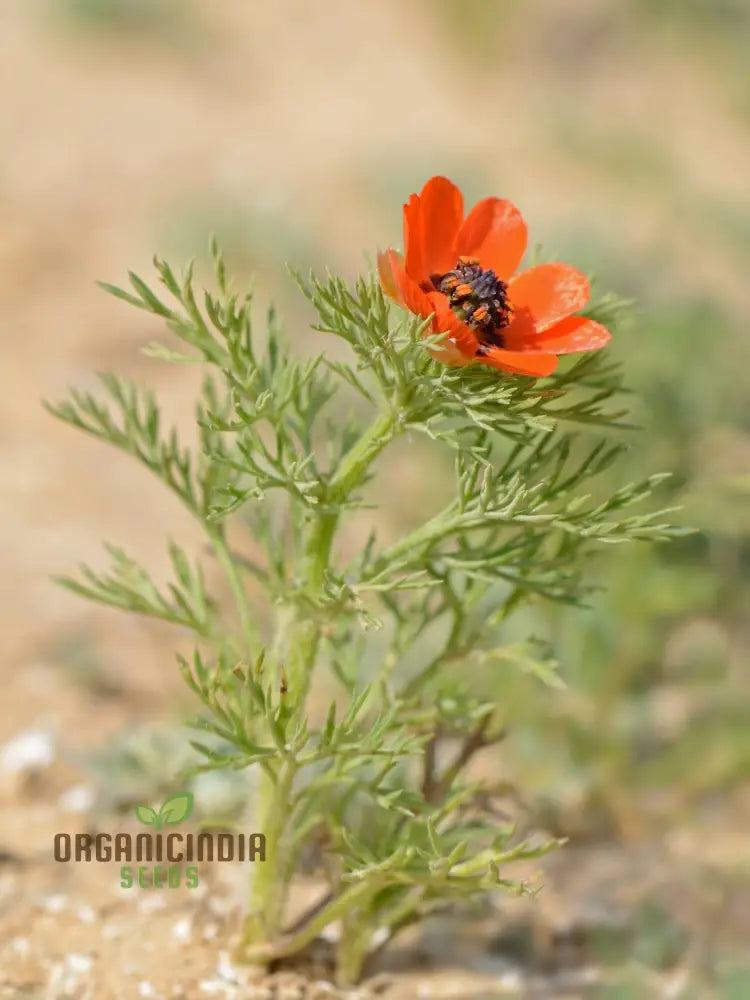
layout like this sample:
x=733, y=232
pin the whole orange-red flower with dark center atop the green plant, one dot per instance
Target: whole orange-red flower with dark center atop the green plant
x=460, y=271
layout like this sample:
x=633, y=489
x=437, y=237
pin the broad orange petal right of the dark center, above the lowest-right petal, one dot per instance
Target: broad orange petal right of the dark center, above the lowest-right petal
x=543, y=295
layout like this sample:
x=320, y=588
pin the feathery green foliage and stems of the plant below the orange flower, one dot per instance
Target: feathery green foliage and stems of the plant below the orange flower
x=380, y=786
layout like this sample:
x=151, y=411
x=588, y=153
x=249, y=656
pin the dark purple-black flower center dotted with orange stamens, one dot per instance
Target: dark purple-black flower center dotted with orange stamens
x=478, y=297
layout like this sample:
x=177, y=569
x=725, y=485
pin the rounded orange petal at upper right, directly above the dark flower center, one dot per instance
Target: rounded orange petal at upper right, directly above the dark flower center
x=494, y=231
